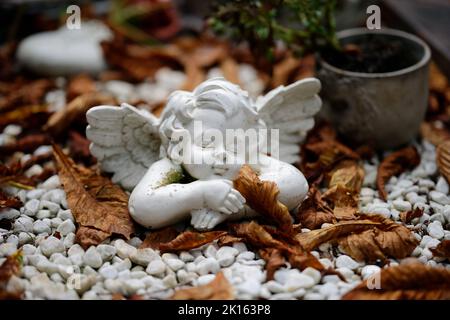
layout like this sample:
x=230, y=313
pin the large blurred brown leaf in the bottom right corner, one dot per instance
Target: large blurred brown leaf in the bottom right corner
x=413, y=281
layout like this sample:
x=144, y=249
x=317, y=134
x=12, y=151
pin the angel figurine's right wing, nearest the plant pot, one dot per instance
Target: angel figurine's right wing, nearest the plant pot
x=291, y=109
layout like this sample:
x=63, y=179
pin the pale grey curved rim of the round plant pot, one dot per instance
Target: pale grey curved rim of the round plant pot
x=385, y=31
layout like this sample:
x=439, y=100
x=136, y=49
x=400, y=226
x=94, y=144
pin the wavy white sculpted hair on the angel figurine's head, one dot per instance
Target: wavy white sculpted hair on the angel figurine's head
x=215, y=93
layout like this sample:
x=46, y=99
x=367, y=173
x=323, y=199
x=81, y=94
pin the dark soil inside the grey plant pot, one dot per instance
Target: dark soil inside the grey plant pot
x=373, y=54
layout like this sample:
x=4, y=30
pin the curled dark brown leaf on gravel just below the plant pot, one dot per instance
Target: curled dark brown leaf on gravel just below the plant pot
x=394, y=164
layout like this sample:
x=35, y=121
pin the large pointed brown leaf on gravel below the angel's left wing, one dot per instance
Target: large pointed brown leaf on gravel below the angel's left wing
x=99, y=207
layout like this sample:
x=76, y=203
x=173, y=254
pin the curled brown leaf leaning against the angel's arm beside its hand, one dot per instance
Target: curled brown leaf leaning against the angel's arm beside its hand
x=262, y=197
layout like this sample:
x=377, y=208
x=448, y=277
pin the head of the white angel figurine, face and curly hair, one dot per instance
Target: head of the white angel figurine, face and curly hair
x=204, y=129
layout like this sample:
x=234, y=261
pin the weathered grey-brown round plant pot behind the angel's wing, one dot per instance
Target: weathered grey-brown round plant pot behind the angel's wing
x=383, y=109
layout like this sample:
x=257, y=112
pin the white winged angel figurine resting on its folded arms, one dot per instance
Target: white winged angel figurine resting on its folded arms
x=147, y=156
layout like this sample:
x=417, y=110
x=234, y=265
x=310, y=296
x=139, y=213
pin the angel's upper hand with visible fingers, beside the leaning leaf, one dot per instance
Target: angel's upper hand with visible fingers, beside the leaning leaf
x=219, y=195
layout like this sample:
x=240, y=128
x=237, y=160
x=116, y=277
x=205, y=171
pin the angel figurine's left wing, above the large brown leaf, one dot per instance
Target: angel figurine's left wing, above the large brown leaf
x=125, y=141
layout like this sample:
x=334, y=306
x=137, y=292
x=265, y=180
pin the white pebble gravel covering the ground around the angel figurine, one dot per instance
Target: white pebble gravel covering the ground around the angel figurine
x=52, y=264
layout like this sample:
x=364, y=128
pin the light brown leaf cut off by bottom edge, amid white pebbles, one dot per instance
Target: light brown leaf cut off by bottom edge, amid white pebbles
x=218, y=289
